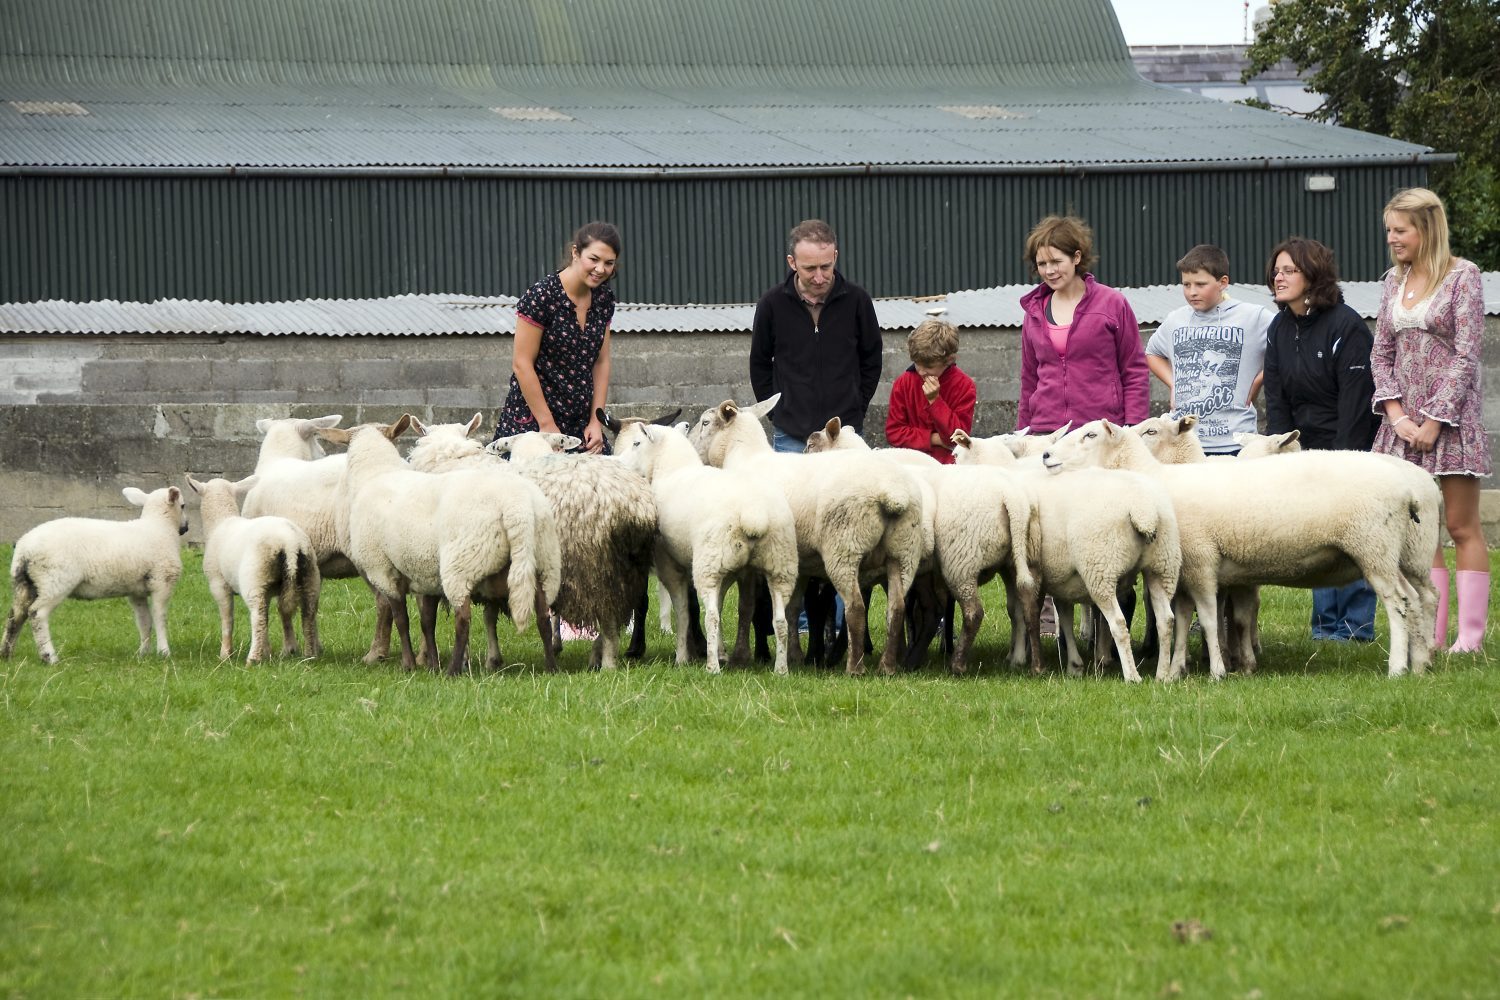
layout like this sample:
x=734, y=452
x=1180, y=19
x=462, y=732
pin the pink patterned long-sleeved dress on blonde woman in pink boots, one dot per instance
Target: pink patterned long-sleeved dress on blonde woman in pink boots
x=1430, y=359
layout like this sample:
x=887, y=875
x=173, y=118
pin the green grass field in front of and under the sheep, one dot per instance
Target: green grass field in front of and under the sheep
x=331, y=828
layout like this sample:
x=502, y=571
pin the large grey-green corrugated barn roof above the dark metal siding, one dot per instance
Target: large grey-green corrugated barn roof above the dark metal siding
x=650, y=85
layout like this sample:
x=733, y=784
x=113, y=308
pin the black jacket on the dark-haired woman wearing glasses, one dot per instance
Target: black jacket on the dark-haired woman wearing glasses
x=1318, y=379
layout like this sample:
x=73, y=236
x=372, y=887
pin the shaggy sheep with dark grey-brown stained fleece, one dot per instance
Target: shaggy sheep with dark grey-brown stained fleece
x=607, y=515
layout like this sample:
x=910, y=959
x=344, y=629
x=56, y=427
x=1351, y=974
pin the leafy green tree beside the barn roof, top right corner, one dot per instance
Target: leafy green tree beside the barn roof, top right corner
x=1421, y=71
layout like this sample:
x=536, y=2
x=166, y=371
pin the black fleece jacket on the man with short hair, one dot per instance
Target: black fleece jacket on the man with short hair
x=826, y=371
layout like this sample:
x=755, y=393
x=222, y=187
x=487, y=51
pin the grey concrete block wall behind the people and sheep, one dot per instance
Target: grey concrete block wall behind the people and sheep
x=85, y=416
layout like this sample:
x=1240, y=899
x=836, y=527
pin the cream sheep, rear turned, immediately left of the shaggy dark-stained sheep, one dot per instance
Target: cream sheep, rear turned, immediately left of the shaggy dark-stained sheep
x=475, y=534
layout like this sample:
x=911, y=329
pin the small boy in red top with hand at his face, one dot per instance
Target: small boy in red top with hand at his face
x=932, y=398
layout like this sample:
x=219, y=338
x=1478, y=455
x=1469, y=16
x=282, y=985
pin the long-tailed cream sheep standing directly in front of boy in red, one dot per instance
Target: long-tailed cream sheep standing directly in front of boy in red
x=977, y=518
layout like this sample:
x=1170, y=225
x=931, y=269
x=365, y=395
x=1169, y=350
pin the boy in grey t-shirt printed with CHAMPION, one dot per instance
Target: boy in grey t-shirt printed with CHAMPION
x=1211, y=352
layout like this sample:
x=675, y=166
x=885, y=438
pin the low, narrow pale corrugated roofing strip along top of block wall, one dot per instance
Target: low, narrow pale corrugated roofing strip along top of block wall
x=434, y=316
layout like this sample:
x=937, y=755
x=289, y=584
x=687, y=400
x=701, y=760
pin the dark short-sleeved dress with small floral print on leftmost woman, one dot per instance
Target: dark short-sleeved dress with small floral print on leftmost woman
x=565, y=361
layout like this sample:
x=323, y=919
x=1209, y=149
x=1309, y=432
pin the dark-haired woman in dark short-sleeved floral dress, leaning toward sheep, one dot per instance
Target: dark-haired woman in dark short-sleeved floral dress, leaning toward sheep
x=560, y=368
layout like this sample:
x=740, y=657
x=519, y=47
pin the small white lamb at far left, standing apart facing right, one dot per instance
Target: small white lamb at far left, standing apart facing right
x=92, y=558
